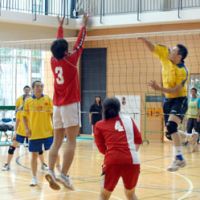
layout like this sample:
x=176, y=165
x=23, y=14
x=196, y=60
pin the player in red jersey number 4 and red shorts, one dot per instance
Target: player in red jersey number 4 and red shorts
x=118, y=138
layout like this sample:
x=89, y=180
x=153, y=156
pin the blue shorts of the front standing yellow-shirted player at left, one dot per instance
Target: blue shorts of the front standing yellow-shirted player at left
x=40, y=144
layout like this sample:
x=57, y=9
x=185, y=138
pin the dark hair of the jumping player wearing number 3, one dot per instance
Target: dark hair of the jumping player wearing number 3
x=58, y=48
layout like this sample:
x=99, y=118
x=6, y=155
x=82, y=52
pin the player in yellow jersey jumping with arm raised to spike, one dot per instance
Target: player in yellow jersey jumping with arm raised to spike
x=174, y=87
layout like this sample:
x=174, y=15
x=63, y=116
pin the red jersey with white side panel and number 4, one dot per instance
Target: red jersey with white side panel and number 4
x=116, y=138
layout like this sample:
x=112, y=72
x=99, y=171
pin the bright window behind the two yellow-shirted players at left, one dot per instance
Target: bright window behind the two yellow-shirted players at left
x=18, y=67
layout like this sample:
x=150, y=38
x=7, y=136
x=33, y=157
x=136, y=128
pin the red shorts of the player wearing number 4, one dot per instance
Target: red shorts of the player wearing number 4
x=129, y=174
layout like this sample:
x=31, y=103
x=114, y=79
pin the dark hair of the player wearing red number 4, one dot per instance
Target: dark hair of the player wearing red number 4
x=111, y=107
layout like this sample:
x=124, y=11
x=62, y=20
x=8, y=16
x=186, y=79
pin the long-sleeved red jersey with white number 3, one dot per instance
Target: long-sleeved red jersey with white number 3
x=65, y=72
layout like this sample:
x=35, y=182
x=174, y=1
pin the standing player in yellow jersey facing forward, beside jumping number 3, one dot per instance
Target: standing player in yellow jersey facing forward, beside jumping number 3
x=37, y=118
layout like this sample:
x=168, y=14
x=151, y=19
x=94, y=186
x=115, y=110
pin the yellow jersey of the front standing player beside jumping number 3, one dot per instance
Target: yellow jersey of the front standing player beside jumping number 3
x=39, y=115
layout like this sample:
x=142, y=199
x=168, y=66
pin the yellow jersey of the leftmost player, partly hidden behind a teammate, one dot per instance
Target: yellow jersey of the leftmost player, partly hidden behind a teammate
x=19, y=115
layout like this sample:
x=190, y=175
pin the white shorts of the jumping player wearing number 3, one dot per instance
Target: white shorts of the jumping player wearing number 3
x=66, y=116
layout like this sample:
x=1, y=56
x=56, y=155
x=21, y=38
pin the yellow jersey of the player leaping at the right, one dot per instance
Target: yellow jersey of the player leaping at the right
x=172, y=74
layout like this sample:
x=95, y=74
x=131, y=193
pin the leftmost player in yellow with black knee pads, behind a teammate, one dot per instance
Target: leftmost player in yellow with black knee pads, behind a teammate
x=20, y=136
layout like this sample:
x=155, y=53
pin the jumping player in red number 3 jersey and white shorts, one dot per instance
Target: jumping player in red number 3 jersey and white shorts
x=66, y=100
